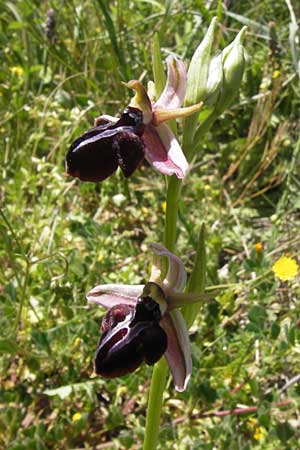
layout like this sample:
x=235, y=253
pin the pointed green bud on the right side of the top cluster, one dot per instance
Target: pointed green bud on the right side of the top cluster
x=233, y=60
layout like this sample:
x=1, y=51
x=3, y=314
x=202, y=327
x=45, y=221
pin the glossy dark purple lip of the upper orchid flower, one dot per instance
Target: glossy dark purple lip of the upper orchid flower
x=97, y=153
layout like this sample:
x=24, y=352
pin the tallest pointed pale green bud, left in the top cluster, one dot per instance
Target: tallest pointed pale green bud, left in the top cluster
x=199, y=67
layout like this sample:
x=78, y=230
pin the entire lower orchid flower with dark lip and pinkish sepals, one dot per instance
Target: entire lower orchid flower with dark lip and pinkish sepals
x=143, y=322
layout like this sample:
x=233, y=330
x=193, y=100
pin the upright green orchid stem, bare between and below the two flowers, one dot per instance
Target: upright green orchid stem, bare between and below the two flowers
x=160, y=371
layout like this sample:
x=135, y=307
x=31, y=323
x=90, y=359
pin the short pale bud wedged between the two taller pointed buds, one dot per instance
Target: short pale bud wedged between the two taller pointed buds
x=214, y=81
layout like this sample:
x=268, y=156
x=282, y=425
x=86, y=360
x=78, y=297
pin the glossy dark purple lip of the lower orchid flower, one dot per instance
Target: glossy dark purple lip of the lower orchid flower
x=131, y=335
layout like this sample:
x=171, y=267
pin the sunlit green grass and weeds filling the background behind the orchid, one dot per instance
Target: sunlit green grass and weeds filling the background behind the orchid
x=60, y=237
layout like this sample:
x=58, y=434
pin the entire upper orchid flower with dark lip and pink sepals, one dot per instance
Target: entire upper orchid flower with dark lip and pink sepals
x=139, y=133
